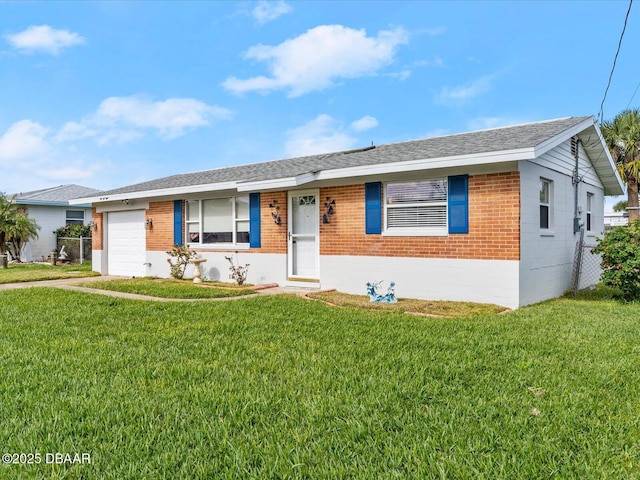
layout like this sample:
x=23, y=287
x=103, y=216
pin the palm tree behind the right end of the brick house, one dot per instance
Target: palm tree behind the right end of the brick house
x=622, y=135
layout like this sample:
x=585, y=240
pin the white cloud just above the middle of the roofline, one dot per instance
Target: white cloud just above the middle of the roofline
x=321, y=135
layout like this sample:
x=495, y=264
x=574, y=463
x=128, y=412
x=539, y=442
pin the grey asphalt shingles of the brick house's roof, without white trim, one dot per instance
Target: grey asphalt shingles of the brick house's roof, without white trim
x=499, y=139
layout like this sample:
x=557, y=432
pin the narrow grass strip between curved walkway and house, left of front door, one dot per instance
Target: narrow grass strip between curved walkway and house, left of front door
x=167, y=288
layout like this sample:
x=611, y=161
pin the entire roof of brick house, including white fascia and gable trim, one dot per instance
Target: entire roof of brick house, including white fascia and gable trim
x=518, y=142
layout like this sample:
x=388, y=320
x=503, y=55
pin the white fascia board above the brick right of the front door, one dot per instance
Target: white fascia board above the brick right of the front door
x=429, y=164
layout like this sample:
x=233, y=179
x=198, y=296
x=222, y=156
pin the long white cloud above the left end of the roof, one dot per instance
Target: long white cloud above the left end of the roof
x=123, y=119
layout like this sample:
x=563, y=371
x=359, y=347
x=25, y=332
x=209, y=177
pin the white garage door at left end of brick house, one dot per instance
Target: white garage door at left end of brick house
x=126, y=243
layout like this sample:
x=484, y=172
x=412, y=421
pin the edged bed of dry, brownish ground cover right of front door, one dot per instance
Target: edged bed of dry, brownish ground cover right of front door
x=431, y=308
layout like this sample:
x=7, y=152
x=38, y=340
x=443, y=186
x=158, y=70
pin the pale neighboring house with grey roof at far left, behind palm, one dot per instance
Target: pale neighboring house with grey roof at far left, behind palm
x=51, y=210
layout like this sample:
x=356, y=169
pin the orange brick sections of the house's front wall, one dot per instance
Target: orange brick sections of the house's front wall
x=494, y=225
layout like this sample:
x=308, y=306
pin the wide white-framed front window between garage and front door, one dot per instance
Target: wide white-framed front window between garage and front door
x=218, y=221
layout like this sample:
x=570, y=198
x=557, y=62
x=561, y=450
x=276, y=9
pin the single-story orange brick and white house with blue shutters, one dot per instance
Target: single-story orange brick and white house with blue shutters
x=487, y=216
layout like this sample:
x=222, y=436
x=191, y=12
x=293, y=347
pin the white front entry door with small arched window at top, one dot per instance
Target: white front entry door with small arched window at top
x=304, y=252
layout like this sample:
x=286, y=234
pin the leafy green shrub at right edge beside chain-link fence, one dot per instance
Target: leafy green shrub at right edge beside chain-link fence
x=620, y=250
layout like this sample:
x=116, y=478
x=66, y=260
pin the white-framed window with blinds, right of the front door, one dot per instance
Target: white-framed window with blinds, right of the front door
x=416, y=207
